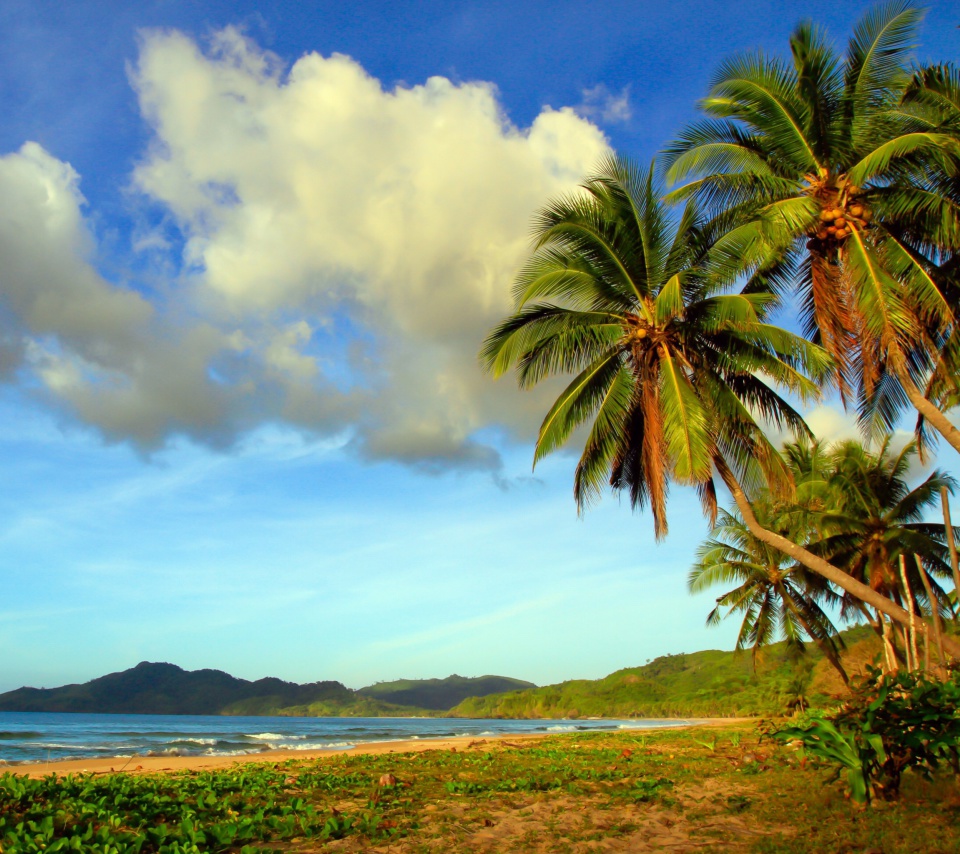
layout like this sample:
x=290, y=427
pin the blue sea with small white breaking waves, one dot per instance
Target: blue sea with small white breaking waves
x=44, y=736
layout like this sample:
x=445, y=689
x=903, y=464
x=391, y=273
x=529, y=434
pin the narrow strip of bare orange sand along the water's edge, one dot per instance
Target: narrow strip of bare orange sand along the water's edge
x=169, y=764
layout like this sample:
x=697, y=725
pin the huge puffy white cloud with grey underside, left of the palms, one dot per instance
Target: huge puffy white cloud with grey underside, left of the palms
x=345, y=249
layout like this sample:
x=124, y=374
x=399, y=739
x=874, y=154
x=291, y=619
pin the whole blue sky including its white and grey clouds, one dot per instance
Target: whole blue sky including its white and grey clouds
x=248, y=253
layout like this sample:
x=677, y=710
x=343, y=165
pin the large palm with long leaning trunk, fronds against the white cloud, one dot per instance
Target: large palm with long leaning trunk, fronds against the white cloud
x=672, y=367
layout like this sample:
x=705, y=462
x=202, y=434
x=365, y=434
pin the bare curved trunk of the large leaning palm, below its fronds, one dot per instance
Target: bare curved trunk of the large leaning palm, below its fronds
x=818, y=565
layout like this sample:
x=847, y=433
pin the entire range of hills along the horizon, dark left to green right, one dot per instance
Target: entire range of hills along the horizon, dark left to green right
x=700, y=684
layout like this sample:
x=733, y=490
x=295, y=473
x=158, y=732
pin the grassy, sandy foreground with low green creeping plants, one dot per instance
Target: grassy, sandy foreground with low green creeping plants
x=722, y=790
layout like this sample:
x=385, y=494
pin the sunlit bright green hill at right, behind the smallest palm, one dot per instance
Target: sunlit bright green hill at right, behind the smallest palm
x=700, y=684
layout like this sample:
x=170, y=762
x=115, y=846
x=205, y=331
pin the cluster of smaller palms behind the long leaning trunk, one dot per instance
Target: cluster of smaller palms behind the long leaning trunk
x=854, y=507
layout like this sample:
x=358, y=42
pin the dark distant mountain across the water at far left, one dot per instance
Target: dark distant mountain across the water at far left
x=165, y=689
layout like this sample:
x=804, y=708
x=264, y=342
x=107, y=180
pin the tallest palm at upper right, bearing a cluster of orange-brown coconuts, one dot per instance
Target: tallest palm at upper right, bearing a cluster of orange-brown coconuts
x=827, y=161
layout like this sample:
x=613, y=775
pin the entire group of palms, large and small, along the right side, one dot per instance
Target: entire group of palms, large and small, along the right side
x=822, y=181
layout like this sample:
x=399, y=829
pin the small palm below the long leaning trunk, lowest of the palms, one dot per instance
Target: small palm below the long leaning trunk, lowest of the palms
x=777, y=597
